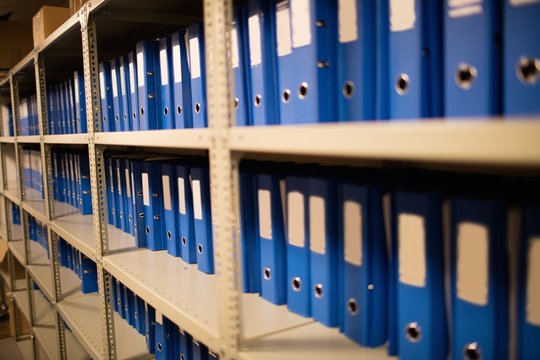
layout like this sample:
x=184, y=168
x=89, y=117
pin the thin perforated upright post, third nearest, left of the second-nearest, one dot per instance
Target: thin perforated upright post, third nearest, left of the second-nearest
x=52, y=238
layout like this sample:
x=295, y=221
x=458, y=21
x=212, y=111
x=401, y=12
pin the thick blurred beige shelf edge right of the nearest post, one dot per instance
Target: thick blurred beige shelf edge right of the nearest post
x=466, y=141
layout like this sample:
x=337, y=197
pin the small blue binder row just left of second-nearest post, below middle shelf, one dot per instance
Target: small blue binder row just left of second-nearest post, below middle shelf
x=80, y=264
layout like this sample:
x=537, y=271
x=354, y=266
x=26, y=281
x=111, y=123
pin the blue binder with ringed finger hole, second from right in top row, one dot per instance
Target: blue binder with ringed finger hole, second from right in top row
x=472, y=81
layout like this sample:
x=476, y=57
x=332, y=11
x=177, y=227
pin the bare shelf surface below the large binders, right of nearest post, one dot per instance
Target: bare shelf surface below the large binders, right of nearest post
x=309, y=342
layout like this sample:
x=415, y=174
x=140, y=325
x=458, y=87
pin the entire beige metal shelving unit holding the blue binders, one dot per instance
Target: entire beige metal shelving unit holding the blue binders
x=209, y=307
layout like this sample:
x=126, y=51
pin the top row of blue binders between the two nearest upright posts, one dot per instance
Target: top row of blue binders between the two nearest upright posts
x=156, y=86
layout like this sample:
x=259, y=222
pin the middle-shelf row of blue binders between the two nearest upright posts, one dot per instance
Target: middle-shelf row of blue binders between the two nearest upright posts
x=164, y=203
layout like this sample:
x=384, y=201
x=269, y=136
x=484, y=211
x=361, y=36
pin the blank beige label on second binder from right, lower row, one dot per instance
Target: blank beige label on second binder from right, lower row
x=472, y=263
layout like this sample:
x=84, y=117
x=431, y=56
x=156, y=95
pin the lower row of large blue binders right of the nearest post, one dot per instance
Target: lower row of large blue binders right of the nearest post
x=364, y=251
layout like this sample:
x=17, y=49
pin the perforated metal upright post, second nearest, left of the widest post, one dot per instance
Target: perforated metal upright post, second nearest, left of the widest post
x=97, y=178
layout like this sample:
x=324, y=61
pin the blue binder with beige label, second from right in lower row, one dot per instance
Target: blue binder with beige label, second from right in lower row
x=479, y=279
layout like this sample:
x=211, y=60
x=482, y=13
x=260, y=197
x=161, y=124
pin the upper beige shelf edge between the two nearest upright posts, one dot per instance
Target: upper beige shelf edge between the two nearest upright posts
x=179, y=138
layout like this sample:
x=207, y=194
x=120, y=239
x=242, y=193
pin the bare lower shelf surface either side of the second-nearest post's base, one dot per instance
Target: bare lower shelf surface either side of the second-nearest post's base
x=81, y=313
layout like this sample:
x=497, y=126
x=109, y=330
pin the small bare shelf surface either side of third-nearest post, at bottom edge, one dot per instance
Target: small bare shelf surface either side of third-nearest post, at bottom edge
x=46, y=336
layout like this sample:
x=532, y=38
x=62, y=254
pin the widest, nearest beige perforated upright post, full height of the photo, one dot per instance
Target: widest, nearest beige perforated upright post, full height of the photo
x=217, y=20
